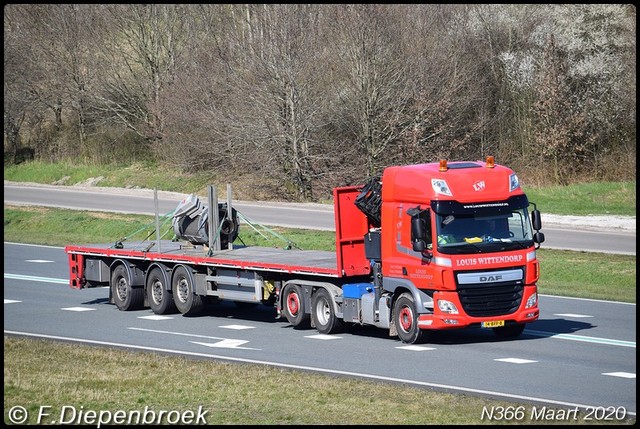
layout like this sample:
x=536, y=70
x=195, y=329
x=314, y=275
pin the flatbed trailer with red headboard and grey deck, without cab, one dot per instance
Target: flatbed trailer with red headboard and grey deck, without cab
x=184, y=276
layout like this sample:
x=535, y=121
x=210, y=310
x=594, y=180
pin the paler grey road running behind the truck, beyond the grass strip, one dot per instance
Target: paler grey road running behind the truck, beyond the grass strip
x=603, y=239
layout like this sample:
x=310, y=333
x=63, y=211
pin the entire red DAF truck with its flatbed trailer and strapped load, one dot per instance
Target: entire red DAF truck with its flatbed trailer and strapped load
x=423, y=247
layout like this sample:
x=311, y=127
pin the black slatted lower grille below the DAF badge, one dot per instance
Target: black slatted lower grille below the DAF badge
x=494, y=300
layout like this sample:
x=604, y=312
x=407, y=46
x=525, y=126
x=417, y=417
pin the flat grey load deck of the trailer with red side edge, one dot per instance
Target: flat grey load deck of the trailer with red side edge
x=316, y=262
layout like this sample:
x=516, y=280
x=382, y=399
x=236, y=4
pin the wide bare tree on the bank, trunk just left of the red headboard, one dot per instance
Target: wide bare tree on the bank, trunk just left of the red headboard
x=260, y=101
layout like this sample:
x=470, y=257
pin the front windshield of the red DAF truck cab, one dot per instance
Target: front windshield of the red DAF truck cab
x=486, y=232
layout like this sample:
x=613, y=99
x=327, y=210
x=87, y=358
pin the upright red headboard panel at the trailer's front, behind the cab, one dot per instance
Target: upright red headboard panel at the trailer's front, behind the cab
x=351, y=227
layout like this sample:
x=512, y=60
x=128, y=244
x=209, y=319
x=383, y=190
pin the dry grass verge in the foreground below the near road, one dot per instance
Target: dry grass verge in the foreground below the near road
x=82, y=379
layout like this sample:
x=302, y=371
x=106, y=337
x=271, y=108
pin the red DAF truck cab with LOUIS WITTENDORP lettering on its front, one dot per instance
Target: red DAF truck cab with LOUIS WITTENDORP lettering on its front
x=458, y=248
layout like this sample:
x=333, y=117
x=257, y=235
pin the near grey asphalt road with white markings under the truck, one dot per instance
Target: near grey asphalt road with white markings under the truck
x=580, y=353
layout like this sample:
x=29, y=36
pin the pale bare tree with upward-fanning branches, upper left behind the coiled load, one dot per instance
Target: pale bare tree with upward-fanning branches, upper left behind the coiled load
x=139, y=63
